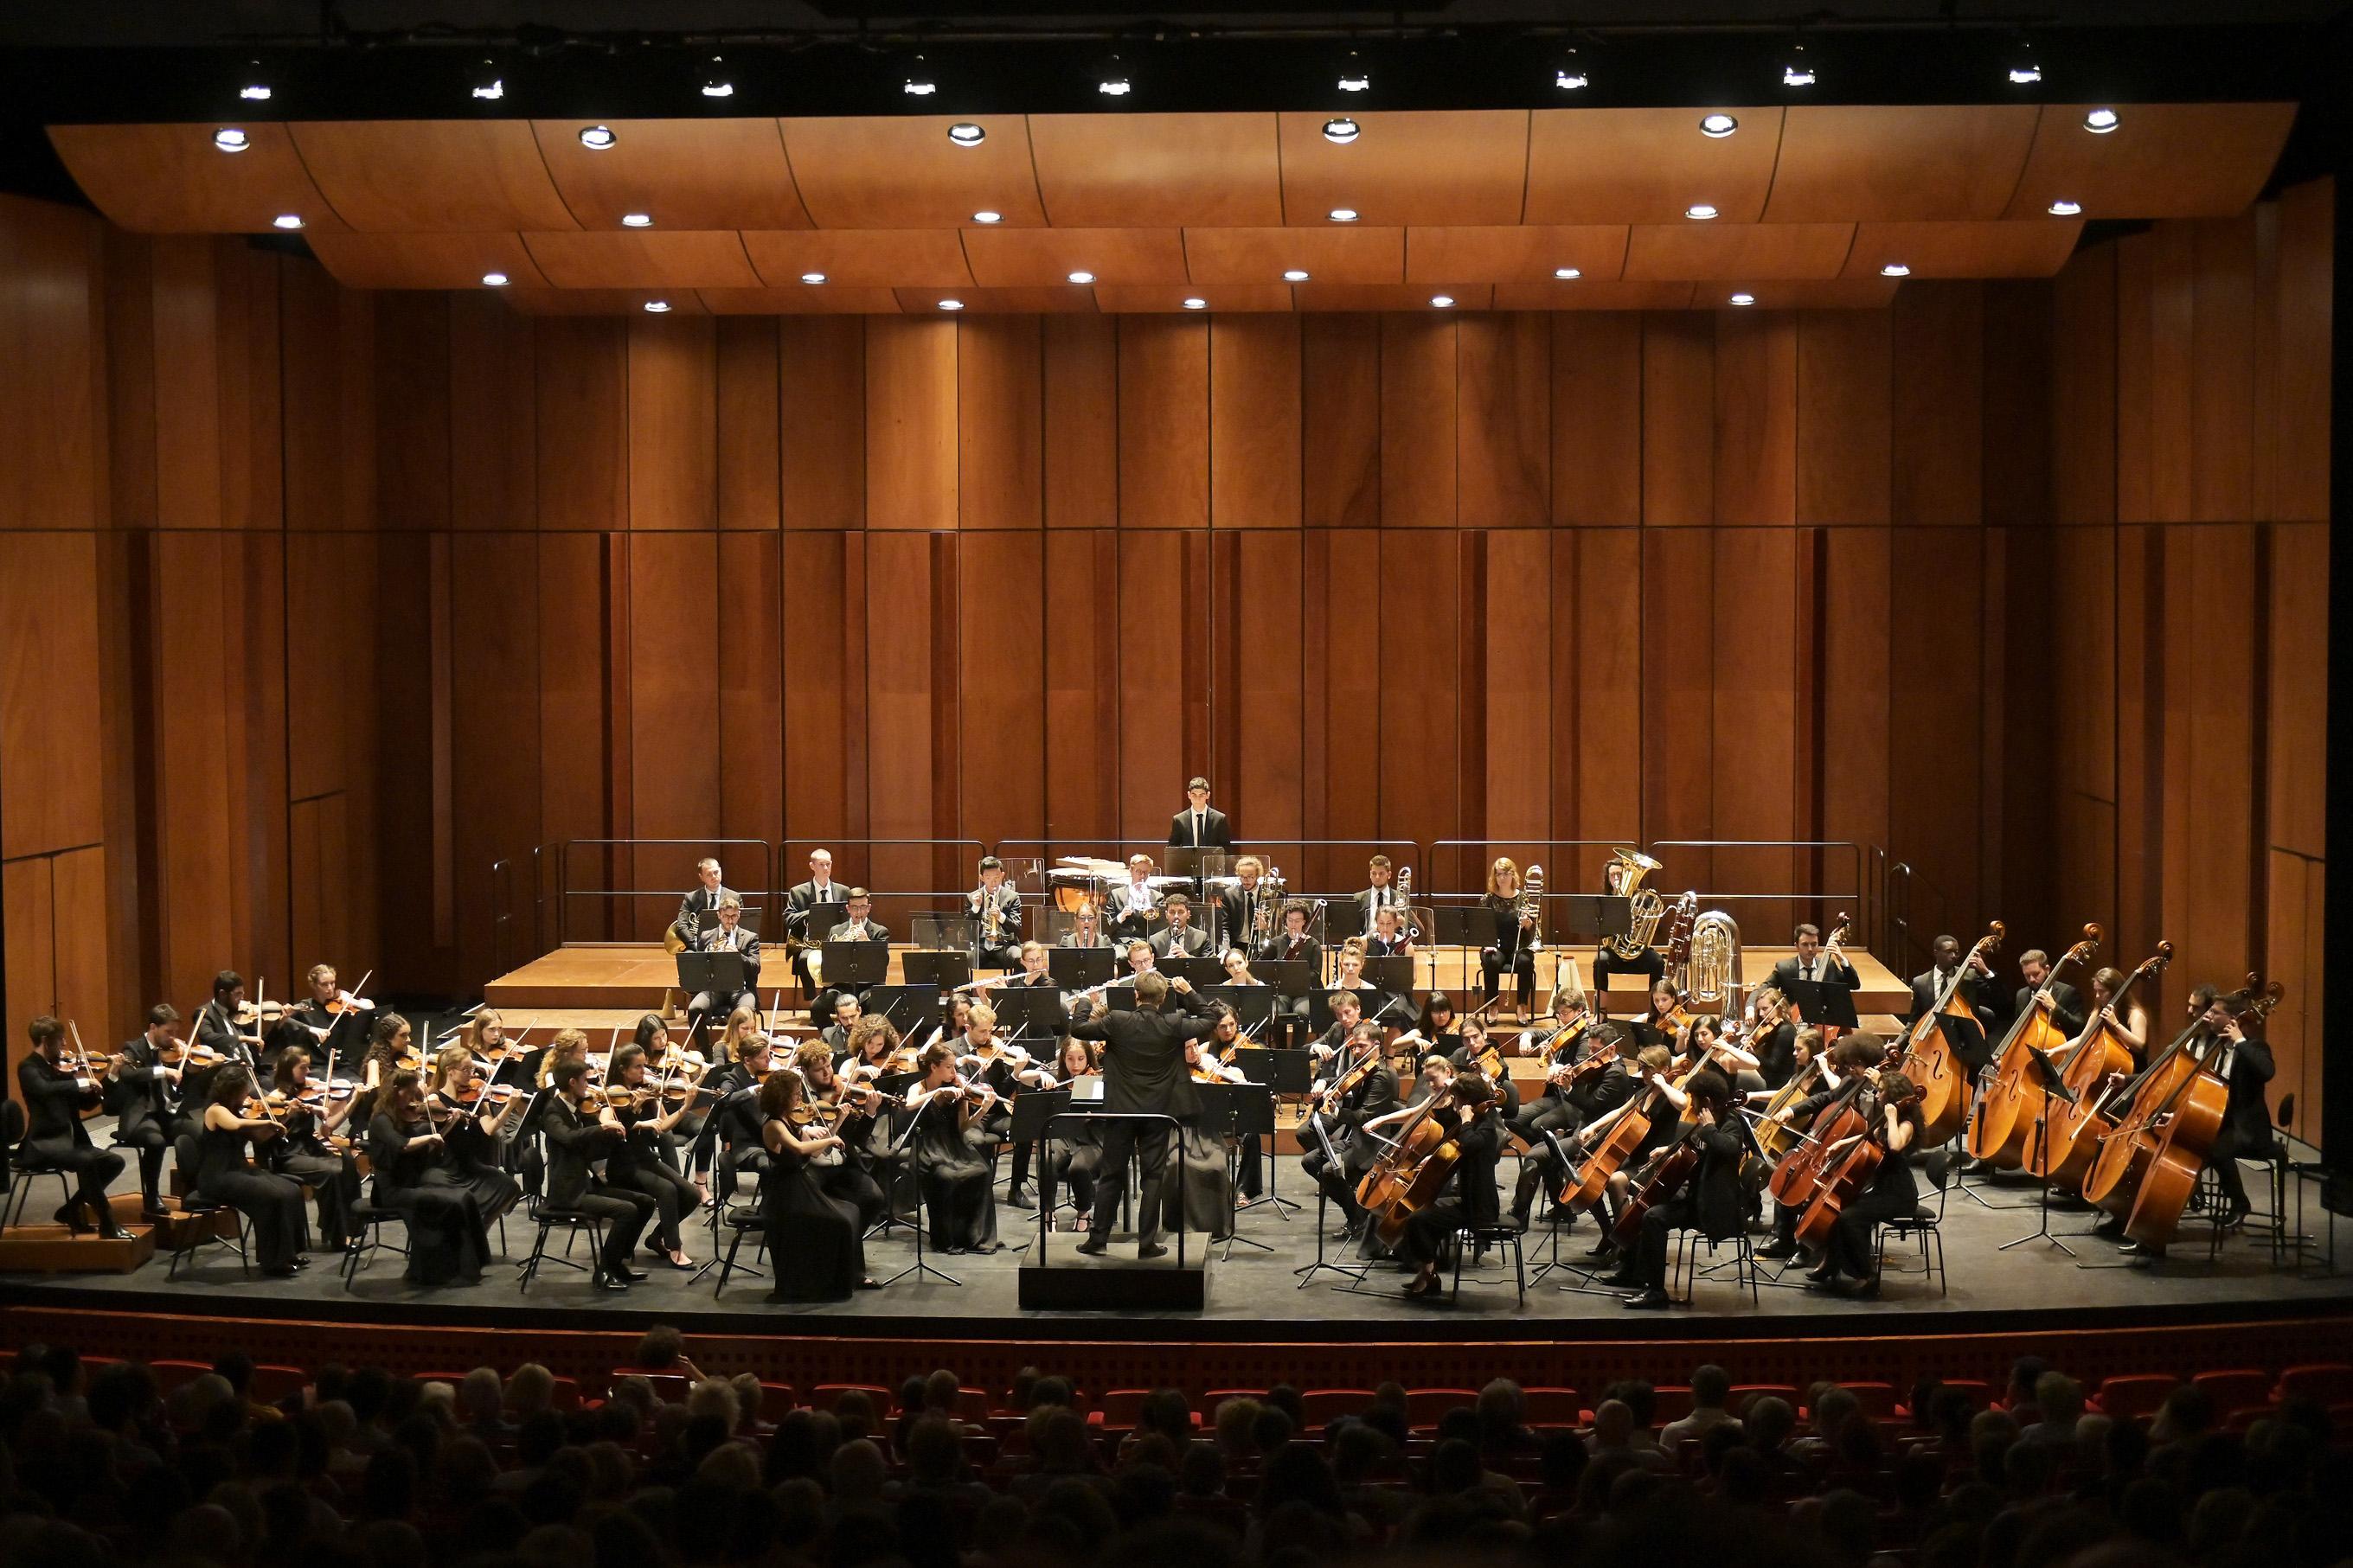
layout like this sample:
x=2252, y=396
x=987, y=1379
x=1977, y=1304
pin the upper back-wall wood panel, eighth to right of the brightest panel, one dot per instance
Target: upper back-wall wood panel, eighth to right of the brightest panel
x=1597, y=420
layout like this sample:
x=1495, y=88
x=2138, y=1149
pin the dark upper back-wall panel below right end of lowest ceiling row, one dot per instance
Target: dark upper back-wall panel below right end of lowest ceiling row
x=1844, y=420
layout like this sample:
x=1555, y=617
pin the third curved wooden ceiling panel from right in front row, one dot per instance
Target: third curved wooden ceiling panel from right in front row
x=1646, y=166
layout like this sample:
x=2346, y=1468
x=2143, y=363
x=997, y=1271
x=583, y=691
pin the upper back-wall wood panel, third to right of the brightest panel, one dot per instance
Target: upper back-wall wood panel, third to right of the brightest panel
x=1164, y=424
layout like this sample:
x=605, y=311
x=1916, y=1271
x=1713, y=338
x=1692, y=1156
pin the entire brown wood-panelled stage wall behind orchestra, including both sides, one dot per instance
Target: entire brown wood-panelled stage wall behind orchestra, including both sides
x=319, y=603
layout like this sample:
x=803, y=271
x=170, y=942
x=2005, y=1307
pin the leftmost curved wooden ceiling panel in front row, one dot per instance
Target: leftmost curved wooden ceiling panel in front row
x=168, y=180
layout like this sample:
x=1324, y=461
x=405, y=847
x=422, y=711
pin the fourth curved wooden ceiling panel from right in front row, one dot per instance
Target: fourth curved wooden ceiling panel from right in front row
x=1408, y=168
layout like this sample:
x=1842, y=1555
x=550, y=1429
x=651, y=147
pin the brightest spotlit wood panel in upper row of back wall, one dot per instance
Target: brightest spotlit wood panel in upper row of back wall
x=912, y=424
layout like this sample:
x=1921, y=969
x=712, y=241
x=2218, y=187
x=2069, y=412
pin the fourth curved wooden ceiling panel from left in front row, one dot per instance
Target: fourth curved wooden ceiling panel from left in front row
x=886, y=173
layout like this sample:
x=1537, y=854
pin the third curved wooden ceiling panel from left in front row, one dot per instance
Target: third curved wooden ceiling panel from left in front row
x=688, y=175
